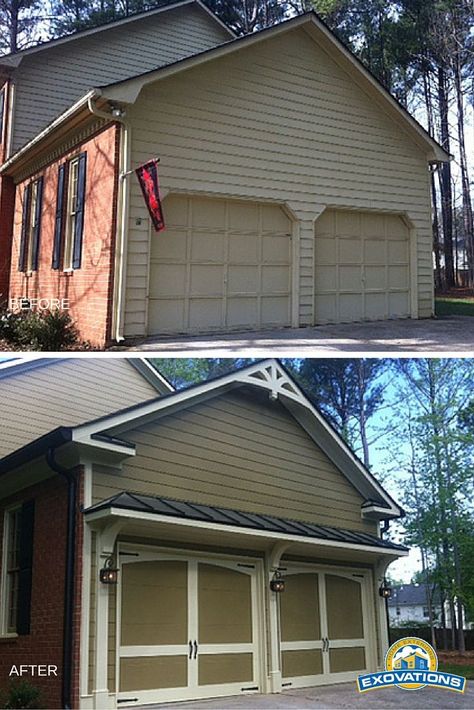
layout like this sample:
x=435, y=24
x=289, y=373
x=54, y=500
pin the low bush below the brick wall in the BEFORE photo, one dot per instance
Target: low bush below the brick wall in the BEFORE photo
x=49, y=331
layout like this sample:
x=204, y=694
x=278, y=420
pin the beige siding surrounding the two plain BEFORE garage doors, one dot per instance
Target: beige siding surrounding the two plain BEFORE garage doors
x=278, y=121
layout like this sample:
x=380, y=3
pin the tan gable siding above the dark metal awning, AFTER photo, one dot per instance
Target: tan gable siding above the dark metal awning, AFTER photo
x=238, y=452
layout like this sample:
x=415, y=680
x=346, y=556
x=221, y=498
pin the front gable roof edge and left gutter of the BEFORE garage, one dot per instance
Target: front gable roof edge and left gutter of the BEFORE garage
x=128, y=90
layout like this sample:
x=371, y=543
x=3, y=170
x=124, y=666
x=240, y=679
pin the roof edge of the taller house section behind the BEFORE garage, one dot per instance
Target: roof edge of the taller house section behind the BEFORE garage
x=14, y=58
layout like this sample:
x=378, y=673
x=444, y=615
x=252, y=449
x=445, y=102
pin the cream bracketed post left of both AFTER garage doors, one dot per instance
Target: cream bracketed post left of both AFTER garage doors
x=103, y=699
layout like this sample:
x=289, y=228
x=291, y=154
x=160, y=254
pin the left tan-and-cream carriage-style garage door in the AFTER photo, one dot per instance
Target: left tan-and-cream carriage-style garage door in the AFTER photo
x=188, y=629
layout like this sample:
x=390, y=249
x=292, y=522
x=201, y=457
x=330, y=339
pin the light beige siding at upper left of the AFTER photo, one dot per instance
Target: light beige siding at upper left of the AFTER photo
x=66, y=393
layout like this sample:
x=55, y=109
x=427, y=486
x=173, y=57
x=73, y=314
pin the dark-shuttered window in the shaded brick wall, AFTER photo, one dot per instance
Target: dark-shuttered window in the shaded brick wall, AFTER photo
x=17, y=563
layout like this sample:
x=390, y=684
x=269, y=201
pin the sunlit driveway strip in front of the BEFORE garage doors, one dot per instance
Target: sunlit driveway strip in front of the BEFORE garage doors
x=436, y=335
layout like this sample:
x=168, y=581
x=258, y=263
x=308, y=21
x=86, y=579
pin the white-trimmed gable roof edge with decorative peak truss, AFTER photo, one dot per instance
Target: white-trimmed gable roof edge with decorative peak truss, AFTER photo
x=108, y=432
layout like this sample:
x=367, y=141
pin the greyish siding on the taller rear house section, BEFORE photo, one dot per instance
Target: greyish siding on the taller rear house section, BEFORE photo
x=47, y=83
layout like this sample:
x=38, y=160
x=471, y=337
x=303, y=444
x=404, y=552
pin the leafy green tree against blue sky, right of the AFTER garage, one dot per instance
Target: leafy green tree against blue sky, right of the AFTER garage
x=439, y=486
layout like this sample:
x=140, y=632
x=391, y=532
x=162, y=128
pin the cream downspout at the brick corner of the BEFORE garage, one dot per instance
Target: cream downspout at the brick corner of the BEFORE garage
x=118, y=116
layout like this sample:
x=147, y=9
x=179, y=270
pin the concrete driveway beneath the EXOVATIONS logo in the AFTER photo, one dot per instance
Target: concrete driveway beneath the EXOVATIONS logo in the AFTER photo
x=340, y=696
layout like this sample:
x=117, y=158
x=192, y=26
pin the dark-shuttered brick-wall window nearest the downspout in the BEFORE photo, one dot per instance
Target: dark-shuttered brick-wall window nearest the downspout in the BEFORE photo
x=70, y=214
